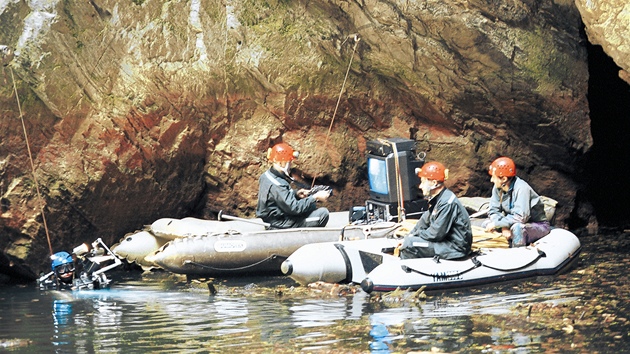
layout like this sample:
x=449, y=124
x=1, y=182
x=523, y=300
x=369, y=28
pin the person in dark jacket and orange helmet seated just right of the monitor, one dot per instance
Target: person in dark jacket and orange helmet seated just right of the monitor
x=444, y=229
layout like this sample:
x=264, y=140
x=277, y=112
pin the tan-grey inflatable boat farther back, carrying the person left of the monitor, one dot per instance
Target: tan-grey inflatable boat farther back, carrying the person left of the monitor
x=204, y=248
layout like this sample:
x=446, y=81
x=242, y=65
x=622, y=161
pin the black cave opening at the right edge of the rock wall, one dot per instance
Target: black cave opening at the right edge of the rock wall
x=605, y=165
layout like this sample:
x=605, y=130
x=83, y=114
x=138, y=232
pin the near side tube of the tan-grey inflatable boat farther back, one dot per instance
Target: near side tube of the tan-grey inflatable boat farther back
x=257, y=252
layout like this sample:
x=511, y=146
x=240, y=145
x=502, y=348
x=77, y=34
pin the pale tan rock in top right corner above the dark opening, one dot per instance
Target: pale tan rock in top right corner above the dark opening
x=608, y=24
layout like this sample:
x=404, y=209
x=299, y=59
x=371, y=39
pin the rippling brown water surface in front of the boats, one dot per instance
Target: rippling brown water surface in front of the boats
x=157, y=315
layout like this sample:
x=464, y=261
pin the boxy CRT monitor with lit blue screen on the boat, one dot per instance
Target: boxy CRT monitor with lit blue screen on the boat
x=382, y=177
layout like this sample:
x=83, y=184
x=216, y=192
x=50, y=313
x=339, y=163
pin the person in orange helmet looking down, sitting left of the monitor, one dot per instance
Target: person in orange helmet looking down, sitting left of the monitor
x=280, y=205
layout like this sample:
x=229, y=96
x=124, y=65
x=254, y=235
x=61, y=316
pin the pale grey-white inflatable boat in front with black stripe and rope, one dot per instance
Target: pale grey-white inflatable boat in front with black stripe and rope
x=371, y=264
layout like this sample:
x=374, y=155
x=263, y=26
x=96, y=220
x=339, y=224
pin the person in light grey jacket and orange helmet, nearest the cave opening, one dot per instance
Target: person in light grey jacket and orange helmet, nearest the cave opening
x=515, y=208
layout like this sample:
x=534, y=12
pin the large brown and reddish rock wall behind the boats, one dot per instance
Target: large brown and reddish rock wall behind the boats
x=144, y=109
